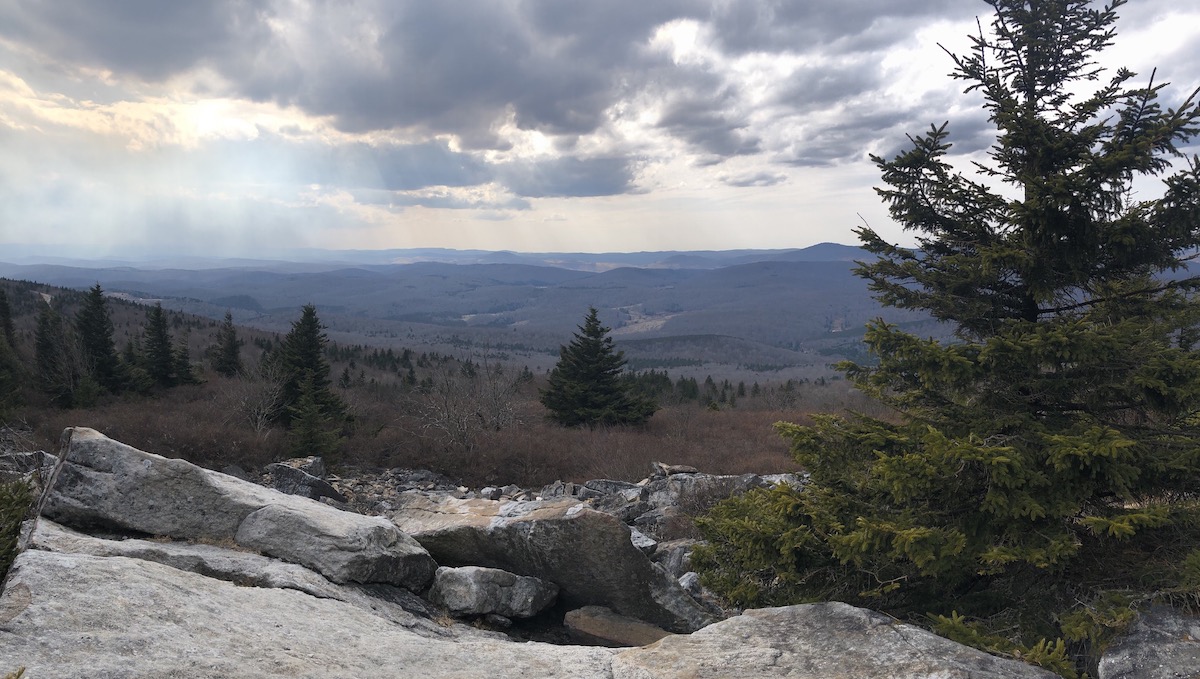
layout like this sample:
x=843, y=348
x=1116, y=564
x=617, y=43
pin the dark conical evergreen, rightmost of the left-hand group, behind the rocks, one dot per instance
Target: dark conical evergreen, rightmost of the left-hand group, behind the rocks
x=303, y=358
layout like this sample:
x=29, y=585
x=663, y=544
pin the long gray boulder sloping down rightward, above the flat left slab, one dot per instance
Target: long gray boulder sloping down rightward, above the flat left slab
x=110, y=485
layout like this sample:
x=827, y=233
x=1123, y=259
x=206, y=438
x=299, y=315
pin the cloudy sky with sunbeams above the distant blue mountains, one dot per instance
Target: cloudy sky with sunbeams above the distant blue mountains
x=237, y=128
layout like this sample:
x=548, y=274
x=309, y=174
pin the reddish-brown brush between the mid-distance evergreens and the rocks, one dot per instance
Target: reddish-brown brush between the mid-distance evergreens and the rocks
x=200, y=424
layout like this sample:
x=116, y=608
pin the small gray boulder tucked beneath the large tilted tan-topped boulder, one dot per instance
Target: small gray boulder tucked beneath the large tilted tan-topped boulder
x=476, y=591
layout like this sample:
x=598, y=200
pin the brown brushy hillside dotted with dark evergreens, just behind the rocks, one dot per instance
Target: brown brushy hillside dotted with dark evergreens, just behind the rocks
x=471, y=413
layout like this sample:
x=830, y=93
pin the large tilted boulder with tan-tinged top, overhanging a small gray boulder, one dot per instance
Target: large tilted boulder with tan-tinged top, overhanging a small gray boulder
x=587, y=554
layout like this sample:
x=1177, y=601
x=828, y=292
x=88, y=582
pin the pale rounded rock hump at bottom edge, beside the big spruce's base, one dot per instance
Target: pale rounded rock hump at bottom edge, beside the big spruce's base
x=818, y=641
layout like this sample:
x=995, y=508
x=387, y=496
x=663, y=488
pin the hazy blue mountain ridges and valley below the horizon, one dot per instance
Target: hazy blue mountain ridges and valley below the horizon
x=789, y=308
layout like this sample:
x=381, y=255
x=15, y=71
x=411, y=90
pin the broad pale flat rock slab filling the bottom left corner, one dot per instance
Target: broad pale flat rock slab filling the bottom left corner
x=74, y=616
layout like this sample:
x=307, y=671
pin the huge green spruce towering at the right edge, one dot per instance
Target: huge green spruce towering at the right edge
x=1052, y=450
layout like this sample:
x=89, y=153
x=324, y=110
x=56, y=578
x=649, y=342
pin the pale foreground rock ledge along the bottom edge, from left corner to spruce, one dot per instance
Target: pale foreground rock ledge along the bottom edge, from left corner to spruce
x=73, y=616
